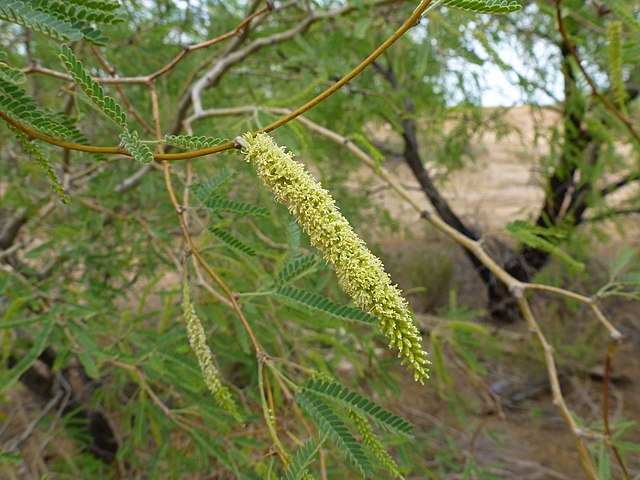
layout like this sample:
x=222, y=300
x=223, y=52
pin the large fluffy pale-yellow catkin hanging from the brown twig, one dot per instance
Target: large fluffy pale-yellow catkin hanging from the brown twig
x=360, y=273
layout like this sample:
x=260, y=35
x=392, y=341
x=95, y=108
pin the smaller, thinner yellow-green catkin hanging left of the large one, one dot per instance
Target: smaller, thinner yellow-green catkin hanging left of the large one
x=198, y=342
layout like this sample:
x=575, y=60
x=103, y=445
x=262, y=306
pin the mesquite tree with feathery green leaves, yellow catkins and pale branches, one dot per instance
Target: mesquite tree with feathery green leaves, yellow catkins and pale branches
x=156, y=295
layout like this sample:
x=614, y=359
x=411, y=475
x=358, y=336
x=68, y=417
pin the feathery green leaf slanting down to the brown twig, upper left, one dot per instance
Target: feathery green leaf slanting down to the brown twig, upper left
x=91, y=88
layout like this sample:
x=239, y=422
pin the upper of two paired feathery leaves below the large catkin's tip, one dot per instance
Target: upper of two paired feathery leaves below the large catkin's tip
x=349, y=398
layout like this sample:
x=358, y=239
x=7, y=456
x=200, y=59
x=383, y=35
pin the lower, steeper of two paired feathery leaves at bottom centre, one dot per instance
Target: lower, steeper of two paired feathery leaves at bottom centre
x=331, y=425
